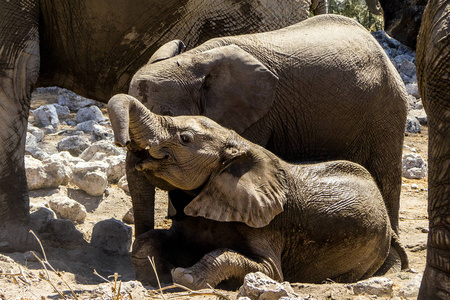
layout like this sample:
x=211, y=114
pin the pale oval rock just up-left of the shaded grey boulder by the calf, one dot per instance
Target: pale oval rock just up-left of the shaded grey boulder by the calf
x=67, y=208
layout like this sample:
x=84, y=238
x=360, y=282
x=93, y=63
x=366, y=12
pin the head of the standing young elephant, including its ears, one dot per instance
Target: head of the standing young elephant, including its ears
x=226, y=84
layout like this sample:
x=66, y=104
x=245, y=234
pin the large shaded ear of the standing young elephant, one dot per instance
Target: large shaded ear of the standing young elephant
x=237, y=89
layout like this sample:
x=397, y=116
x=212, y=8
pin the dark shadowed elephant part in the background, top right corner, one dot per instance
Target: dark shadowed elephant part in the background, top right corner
x=401, y=18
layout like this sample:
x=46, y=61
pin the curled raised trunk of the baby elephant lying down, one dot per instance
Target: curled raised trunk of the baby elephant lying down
x=129, y=116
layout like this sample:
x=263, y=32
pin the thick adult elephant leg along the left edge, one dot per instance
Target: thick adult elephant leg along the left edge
x=19, y=68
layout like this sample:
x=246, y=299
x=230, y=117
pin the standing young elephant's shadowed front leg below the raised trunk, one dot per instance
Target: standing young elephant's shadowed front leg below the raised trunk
x=142, y=196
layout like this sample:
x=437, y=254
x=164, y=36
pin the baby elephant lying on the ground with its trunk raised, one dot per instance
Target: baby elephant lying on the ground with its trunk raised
x=241, y=209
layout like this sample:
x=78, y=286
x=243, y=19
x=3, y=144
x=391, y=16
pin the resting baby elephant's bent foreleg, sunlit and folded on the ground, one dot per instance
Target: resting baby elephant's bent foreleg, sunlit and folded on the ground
x=223, y=264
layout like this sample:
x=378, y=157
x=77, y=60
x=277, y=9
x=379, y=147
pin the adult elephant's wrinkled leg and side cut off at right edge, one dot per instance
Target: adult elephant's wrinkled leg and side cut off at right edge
x=433, y=69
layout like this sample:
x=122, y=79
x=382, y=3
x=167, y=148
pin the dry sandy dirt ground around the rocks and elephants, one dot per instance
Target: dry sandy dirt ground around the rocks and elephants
x=75, y=268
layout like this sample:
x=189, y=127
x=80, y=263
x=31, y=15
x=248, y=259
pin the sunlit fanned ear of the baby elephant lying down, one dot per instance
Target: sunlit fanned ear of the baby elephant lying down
x=251, y=190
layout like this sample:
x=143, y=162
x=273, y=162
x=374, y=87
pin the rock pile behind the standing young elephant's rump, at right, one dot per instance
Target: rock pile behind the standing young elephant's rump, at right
x=403, y=59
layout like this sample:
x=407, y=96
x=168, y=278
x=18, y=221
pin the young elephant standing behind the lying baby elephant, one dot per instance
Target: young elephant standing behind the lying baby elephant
x=319, y=90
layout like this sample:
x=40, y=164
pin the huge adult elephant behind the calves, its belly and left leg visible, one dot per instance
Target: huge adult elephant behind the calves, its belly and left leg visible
x=93, y=48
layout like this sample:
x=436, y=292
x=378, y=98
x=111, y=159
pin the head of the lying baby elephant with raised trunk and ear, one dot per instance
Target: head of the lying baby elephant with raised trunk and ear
x=230, y=178
